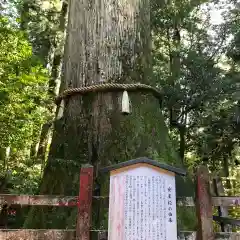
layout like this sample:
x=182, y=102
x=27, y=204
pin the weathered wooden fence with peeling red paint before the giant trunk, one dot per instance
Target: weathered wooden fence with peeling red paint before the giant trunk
x=204, y=206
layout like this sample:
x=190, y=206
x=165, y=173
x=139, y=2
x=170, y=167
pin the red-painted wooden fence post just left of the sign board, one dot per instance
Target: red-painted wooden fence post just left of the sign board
x=85, y=203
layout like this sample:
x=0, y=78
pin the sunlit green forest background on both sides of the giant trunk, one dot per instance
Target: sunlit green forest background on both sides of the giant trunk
x=195, y=63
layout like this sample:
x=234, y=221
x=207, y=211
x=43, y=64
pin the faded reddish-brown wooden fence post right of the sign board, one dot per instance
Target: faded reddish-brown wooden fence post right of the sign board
x=204, y=205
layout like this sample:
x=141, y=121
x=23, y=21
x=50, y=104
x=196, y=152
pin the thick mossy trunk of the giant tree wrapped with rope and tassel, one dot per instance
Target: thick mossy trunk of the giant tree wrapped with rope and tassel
x=112, y=37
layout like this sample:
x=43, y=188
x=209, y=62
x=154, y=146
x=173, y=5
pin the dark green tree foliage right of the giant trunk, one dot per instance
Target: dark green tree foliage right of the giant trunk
x=200, y=83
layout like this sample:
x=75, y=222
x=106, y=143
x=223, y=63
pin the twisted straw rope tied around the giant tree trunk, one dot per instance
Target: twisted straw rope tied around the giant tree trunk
x=109, y=87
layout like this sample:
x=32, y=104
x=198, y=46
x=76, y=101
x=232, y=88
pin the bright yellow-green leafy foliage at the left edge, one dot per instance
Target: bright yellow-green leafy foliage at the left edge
x=23, y=88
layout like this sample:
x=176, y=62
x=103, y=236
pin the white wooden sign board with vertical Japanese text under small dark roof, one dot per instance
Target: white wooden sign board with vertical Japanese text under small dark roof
x=142, y=204
